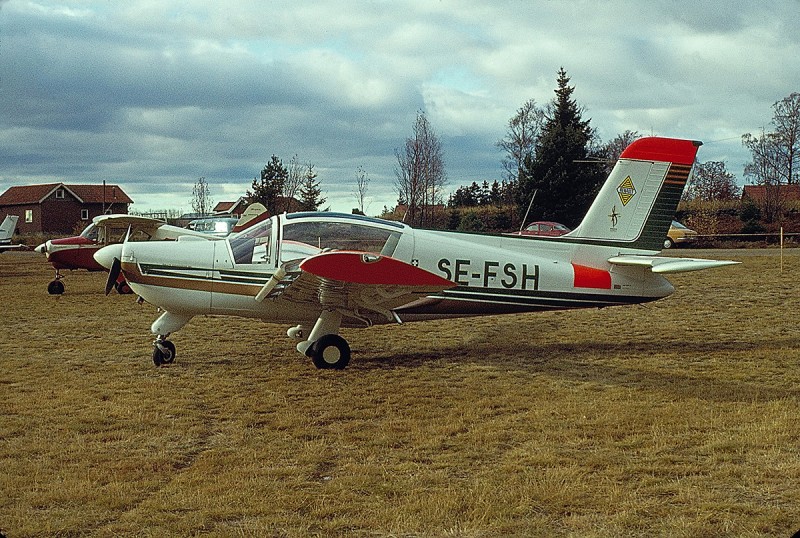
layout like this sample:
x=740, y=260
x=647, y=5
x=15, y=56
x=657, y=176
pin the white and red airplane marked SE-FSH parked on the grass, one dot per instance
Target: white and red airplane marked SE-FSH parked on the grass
x=322, y=271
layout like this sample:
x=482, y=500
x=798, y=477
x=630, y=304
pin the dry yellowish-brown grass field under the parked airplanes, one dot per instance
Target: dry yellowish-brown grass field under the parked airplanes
x=679, y=418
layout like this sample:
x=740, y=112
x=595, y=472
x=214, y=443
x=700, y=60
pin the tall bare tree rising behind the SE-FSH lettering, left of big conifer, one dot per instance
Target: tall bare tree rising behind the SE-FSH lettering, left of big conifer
x=420, y=174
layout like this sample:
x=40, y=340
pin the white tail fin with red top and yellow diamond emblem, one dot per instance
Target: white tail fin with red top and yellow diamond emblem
x=637, y=203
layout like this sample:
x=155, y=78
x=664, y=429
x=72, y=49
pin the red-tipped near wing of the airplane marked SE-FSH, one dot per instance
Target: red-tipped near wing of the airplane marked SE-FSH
x=358, y=284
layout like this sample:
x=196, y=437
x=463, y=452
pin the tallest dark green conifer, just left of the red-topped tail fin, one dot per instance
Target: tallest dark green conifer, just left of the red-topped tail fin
x=564, y=183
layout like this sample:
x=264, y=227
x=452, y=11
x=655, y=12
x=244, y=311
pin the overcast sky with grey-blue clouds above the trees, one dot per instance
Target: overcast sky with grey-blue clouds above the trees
x=153, y=95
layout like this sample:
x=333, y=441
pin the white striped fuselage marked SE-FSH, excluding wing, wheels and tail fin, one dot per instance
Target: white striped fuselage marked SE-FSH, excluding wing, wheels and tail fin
x=491, y=274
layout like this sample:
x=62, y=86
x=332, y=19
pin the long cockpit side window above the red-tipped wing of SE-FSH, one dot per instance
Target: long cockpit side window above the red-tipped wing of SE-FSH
x=303, y=239
